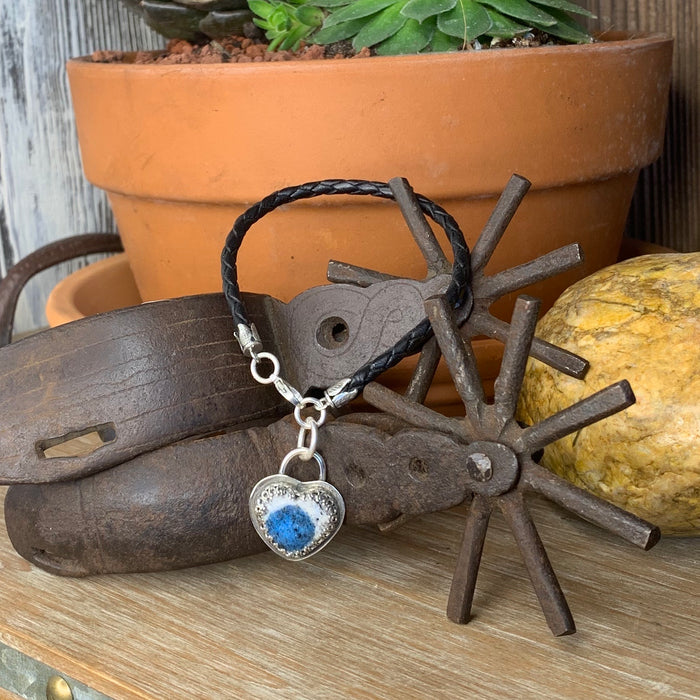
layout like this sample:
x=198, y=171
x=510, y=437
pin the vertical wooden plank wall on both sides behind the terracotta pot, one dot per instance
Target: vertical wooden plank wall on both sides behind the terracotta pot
x=43, y=195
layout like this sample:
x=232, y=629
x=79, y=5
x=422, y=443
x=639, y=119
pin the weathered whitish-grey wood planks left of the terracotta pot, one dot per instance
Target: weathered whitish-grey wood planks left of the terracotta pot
x=43, y=193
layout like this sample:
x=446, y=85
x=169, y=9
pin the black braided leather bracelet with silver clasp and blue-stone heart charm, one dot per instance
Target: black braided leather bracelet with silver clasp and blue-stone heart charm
x=297, y=519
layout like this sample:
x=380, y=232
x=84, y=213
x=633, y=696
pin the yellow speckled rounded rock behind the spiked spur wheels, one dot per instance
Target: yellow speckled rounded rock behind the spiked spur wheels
x=638, y=320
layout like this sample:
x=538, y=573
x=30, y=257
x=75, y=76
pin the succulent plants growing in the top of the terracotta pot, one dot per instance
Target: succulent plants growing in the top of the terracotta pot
x=386, y=26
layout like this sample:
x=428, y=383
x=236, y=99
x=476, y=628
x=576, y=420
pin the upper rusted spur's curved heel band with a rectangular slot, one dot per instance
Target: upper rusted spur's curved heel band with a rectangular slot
x=134, y=379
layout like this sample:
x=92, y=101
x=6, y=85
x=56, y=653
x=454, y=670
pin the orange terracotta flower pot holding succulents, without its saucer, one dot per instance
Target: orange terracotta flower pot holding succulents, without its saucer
x=183, y=150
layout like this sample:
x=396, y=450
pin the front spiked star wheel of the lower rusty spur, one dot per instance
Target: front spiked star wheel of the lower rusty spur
x=498, y=458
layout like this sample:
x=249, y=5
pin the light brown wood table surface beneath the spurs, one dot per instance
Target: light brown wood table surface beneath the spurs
x=365, y=618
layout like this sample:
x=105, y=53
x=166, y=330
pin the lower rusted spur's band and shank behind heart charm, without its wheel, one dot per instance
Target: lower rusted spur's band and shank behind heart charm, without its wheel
x=186, y=504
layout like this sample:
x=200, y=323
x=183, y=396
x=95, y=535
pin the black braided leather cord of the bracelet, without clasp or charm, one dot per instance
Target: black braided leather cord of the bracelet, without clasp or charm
x=458, y=293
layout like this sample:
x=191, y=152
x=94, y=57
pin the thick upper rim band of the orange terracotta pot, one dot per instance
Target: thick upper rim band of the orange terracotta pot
x=168, y=99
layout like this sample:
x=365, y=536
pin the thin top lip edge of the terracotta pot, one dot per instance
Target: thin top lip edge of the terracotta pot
x=607, y=41
